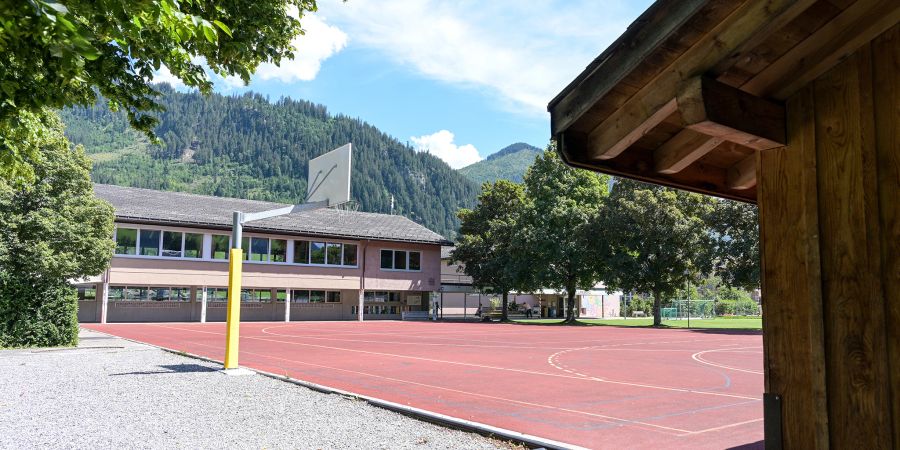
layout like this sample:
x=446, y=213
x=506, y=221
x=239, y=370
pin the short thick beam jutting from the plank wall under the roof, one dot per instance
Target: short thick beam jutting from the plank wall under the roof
x=719, y=110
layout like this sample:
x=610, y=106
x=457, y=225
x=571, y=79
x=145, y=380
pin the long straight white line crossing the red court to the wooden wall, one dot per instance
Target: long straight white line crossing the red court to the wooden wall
x=393, y=355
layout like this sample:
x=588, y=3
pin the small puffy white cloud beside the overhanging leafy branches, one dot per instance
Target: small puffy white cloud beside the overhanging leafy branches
x=320, y=42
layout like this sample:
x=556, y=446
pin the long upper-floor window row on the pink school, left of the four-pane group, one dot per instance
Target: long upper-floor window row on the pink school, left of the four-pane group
x=177, y=244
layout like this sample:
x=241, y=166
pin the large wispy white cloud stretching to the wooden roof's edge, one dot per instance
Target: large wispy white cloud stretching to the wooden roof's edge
x=521, y=53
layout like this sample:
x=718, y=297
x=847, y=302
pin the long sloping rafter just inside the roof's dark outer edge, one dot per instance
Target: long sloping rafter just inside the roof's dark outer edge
x=731, y=33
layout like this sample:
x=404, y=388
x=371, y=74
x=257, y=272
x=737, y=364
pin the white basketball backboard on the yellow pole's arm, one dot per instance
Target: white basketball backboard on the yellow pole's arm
x=329, y=177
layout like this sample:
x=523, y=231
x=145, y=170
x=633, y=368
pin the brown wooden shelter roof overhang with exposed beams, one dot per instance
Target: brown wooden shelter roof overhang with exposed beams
x=694, y=89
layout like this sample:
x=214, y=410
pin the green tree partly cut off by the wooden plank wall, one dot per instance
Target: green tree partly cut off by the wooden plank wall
x=734, y=249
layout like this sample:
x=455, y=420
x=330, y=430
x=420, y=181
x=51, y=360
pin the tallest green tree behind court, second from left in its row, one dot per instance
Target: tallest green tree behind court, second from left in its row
x=564, y=204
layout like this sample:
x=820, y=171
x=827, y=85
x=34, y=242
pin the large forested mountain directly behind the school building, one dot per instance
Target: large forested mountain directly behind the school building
x=246, y=146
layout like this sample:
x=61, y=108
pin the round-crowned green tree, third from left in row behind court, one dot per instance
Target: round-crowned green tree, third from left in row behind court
x=658, y=239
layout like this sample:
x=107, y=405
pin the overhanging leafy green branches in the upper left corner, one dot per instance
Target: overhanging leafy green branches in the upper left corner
x=57, y=55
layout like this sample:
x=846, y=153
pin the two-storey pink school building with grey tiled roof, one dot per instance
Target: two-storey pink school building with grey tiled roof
x=170, y=262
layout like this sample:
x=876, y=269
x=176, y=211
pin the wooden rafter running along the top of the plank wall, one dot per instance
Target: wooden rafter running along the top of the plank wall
x=862, y=21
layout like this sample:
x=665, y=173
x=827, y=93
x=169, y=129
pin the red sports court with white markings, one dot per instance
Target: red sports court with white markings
x=589, y=386
